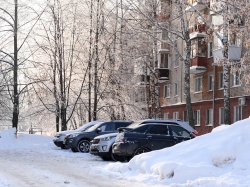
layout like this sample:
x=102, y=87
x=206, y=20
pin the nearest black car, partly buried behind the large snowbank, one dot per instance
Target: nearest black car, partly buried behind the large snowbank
x=149, y=137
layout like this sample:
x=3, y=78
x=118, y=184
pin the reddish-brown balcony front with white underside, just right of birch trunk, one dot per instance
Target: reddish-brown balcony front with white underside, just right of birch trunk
x=198, y=65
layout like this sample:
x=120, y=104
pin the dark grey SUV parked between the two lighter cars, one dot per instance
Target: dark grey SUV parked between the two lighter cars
x=80, y=142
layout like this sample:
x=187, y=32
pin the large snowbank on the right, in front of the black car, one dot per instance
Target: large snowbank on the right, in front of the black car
x=222, y=154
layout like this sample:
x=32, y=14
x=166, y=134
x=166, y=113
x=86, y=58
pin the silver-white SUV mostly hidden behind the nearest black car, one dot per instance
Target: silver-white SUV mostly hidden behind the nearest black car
x=102, y=145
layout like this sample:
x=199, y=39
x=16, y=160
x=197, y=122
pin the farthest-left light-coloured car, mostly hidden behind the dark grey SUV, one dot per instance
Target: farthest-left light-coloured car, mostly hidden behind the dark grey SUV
x=60, y=136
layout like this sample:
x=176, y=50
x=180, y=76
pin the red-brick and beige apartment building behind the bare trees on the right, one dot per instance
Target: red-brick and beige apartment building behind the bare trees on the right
x=206, y=79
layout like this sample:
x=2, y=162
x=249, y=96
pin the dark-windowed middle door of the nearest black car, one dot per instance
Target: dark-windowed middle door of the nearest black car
x=158, y=137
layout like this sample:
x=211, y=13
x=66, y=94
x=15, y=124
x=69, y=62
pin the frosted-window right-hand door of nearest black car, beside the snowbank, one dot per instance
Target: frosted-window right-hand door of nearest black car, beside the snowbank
x=179, y=133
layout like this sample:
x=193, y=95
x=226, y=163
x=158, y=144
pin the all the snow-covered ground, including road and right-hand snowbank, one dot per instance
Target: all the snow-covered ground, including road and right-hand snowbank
x=217, y=159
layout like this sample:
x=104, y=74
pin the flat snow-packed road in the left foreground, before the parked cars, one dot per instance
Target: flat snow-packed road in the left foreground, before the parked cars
x=43, y=168
